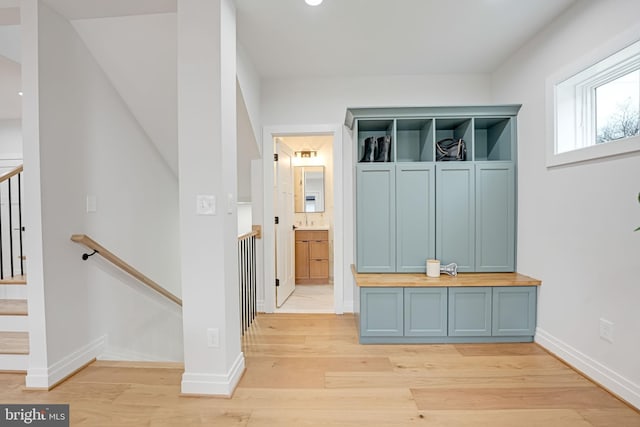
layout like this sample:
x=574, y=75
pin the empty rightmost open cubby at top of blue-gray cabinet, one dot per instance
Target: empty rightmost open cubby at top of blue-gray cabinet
x=493, y=138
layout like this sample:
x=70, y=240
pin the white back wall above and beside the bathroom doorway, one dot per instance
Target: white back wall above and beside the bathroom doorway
x=303, y=102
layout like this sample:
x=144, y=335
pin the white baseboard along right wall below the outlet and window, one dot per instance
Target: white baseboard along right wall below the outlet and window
x=599, y=373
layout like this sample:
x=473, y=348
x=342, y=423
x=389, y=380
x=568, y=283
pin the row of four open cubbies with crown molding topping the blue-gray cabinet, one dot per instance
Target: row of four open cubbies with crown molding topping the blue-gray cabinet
x=411, y=133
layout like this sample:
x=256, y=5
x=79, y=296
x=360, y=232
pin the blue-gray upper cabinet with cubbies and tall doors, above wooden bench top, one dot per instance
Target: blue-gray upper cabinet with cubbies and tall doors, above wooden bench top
x=415, y=207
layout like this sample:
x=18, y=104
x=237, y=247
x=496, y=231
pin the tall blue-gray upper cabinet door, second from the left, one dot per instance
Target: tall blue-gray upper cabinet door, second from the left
x=415, y=216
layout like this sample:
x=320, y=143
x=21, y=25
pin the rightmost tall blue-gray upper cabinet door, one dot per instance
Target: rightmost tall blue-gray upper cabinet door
x=495, y=217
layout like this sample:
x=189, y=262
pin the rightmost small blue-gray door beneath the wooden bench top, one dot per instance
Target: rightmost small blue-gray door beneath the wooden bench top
x=514, y=311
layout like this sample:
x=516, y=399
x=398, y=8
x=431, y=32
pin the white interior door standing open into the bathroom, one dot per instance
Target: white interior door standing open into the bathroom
x=284, y=228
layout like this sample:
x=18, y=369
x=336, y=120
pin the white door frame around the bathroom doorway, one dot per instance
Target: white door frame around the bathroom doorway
x=268, y=134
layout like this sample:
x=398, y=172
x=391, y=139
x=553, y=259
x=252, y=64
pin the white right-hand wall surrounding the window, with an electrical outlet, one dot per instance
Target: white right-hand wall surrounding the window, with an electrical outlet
x=575, y=223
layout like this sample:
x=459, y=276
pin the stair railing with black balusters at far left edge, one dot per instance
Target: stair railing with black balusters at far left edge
x=11, y=228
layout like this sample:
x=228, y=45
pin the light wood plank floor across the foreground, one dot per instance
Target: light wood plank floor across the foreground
x=308, y=370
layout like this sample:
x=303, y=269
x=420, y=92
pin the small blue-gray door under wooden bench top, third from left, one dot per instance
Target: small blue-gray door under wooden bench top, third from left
x=470, y=311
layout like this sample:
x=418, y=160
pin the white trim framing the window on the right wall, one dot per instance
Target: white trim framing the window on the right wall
x=591, y=152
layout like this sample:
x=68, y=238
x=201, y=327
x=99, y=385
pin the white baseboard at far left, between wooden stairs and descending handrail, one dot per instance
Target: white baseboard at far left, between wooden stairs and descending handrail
x=49, y=376
